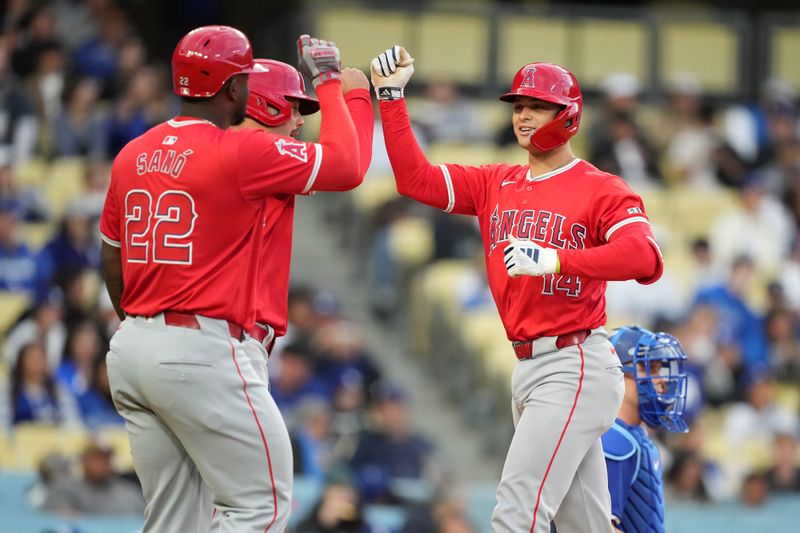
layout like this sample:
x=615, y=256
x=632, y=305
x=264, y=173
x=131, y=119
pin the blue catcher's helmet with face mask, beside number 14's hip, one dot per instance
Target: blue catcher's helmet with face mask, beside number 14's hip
x=656, y=363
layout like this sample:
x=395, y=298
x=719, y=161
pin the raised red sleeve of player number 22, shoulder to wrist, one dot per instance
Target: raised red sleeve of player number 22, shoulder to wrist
x=272, y=164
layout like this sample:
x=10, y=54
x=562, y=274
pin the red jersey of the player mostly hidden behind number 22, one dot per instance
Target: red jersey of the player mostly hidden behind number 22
x=272, y=295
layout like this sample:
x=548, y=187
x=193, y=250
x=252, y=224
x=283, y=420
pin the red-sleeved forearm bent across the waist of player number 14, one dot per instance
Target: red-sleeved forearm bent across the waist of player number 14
x=630, y=256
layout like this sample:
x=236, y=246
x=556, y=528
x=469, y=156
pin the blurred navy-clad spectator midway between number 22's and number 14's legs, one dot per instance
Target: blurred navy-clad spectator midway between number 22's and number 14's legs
x=390, y=446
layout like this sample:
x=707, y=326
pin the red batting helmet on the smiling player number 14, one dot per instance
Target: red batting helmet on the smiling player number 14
x=550, y=83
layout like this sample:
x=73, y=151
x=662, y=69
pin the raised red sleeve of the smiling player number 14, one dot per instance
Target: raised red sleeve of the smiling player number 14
x=452, y=188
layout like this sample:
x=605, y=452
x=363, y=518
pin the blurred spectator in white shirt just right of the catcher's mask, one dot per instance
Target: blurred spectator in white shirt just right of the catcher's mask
x=761, y=418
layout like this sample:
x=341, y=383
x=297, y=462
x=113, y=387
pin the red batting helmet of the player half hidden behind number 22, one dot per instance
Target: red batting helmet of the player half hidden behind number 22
x=271, y=83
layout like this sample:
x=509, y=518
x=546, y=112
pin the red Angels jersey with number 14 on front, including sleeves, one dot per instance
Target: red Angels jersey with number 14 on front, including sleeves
x=574, y=208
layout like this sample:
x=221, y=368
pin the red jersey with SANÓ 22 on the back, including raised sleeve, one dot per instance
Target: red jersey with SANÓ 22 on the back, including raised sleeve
x=184, y=201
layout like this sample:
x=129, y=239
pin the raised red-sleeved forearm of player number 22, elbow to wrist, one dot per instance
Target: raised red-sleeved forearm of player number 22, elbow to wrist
x=340, y=166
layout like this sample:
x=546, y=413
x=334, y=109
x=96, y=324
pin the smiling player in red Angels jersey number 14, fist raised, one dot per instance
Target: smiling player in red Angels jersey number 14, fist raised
x=554, y=231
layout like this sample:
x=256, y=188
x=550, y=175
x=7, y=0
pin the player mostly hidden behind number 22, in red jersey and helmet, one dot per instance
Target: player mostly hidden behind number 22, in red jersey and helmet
x=277, y=104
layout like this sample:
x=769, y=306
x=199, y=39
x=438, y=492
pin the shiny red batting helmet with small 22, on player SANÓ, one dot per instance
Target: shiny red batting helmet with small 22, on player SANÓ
x=207, y=57
